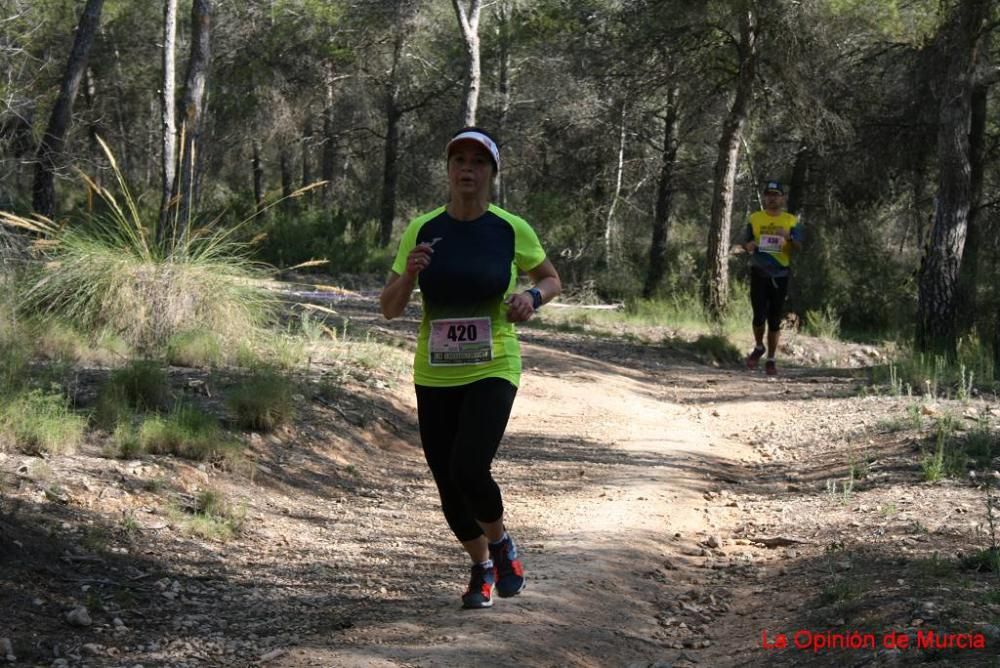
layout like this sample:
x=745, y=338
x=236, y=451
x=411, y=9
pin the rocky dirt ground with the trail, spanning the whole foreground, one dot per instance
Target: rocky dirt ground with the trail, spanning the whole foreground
x=673, y=511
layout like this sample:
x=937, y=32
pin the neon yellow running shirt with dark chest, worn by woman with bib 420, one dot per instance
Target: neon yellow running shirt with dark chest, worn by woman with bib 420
x=464, y=333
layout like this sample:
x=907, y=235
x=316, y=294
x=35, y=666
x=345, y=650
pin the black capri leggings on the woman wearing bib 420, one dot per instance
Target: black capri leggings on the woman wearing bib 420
x=460, y=430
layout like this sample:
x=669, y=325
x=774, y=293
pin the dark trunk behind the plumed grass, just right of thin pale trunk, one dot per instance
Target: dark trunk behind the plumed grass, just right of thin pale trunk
x=192, y=112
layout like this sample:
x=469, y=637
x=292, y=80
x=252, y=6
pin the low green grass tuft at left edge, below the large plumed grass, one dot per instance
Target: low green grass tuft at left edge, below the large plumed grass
x=37, y=422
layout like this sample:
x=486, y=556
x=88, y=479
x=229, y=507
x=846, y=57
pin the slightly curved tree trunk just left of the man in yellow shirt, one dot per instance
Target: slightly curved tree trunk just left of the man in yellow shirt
x=716, y=288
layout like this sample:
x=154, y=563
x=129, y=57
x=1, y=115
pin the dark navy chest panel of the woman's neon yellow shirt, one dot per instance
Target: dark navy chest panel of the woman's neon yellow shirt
x=471, y=264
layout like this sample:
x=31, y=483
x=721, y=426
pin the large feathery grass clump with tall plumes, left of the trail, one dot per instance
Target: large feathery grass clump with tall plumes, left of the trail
x=108, y=272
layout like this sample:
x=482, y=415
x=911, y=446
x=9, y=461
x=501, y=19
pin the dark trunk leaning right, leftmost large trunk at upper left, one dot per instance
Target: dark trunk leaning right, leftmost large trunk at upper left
x=51, y=147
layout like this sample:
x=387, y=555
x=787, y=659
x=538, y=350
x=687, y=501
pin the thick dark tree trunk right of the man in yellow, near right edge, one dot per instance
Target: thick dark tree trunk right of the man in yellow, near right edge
x=938, y=285
